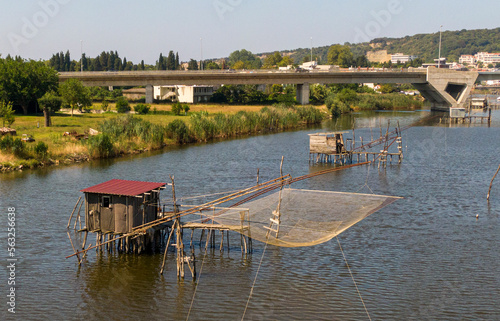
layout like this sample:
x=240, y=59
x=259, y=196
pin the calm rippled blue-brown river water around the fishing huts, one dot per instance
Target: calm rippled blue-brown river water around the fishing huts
x=424, y=257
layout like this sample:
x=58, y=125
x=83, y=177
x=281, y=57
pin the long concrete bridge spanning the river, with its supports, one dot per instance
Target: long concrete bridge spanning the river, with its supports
x=443, y=88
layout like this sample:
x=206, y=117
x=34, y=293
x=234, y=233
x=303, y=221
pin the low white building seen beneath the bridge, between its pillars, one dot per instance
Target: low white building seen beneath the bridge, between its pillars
x=183, y=94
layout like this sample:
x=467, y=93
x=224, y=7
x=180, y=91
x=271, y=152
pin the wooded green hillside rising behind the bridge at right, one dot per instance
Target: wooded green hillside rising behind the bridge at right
x=426, y=46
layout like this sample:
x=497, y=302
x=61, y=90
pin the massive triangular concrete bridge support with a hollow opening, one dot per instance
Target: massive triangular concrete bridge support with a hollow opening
x=446, y=88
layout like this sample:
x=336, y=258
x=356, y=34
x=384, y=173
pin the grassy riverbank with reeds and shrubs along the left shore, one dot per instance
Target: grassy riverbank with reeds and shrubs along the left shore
x=125, y=134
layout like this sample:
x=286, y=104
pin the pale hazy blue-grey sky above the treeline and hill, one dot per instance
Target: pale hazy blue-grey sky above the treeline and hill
x=140, y=30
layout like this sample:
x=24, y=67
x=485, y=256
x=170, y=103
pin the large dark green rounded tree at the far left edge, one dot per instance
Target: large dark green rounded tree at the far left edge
x=23, y=82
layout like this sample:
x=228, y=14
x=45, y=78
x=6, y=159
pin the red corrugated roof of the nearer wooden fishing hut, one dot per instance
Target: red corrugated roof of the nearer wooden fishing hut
x=123, y=187
